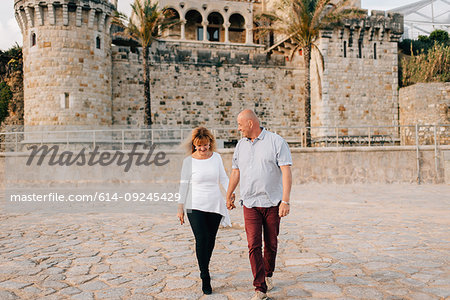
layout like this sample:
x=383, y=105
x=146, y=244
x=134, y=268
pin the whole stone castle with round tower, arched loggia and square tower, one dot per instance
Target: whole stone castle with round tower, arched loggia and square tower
x=204, y=70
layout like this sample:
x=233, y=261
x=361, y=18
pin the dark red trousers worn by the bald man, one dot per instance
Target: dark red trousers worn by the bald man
x=257, y=221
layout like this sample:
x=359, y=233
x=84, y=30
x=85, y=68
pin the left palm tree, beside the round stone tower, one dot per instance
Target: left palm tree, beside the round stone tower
x=146, y=23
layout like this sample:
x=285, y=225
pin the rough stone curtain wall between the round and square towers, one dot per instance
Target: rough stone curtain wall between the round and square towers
x=197, y=86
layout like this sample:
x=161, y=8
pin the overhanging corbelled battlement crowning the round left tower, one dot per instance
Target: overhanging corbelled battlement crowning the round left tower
x=93, y=14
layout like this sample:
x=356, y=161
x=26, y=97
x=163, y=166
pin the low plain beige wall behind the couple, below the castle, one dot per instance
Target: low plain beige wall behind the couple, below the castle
x=325, y=166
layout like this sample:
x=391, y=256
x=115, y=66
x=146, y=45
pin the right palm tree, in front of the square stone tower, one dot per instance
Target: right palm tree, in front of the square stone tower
x=301, y=21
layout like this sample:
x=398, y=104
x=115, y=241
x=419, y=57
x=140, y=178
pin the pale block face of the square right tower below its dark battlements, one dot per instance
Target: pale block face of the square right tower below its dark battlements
x=356, y=91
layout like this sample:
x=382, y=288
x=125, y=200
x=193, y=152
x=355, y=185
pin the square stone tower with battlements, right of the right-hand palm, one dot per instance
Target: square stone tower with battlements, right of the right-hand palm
x=359, y=76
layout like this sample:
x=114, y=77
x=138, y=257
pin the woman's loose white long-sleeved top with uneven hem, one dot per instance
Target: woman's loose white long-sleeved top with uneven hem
x=199, y=186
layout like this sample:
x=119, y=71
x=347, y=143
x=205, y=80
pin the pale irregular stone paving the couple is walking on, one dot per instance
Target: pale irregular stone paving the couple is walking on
x=339, y=242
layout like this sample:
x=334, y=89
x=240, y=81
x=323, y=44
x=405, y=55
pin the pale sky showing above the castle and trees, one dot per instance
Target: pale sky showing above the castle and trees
x=10, y=31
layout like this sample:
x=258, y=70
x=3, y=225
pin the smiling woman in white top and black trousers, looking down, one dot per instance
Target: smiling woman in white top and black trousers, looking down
x=200, y=195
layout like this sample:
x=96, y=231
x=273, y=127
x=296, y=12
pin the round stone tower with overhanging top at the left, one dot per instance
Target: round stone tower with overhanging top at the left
x=67, y=61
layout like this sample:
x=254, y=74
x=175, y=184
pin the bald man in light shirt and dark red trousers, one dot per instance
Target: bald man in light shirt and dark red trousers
x=262, y=165
